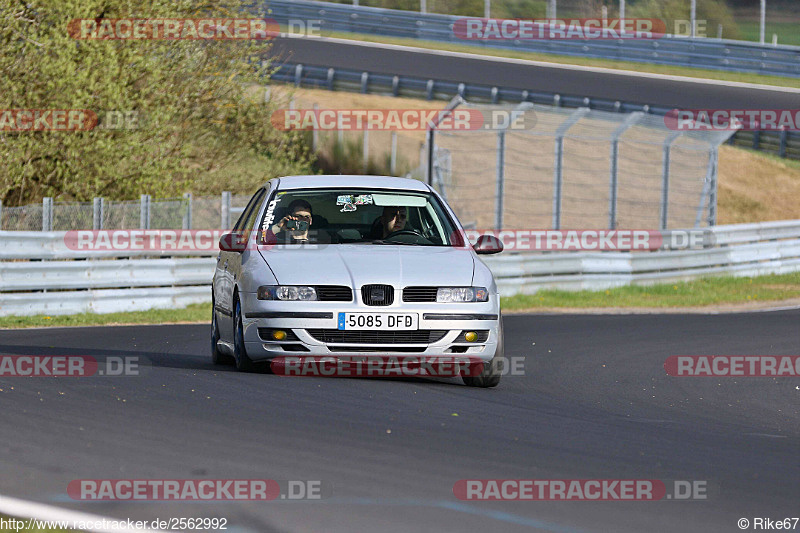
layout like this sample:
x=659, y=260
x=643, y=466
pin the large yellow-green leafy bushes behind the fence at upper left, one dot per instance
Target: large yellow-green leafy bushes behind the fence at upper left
x=197, y=120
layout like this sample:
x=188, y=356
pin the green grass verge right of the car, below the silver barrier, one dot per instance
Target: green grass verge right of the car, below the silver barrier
x=699, y=293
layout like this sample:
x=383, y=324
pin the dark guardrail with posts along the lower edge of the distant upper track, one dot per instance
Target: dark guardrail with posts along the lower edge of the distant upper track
x=784, y=144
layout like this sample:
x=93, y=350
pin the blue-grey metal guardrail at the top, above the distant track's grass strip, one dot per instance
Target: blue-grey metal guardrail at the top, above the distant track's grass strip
x=717, y=54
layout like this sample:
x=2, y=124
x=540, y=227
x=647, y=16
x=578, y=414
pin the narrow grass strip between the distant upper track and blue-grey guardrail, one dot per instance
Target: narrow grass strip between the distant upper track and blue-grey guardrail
x=580, y=61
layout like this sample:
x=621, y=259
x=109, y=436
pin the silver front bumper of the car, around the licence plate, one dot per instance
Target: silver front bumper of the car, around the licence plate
x=312, y=329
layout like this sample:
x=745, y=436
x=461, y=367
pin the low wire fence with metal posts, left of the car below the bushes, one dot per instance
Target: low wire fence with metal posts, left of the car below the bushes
x=219, y=212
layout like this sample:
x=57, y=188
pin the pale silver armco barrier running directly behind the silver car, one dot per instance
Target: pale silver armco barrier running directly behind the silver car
x=106, y=282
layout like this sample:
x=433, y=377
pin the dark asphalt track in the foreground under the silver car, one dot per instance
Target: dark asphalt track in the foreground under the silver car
x=594, y=403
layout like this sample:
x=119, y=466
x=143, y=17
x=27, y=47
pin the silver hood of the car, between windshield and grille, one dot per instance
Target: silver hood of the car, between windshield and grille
x=355, y=265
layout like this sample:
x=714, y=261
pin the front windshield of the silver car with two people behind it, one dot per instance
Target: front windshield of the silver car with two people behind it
x=356, y=216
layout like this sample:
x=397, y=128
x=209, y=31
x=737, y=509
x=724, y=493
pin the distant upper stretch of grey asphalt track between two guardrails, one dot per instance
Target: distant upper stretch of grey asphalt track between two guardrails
x=555, y=79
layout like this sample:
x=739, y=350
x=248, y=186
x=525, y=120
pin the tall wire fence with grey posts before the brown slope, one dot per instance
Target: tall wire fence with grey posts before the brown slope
x=551, y=167
